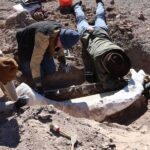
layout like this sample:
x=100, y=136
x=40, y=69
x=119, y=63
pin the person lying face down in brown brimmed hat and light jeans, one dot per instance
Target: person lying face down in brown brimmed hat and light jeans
x=110, y=61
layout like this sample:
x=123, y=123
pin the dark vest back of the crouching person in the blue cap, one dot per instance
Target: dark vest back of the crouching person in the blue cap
x=26, y=37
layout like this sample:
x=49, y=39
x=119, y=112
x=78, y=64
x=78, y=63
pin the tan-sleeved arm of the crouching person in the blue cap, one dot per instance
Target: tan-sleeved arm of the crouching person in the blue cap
x=40, y=46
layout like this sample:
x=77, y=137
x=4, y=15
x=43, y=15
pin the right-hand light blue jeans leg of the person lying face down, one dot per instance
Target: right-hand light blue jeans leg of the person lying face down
x=100, y=21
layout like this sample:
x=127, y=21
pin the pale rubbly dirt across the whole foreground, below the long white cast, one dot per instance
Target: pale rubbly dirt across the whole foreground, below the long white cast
x=29, y=128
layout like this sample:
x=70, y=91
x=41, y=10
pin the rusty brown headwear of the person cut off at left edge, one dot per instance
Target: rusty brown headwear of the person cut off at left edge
x=8, y=69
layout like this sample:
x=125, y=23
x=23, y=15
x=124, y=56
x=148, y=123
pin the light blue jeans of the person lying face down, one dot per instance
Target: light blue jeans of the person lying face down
x=82, y=24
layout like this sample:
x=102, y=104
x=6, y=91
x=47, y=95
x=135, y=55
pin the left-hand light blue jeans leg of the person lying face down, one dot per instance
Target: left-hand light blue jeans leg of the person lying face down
x=81, y=21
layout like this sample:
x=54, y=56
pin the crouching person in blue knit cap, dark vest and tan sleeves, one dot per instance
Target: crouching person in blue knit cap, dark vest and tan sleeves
x=37, y=44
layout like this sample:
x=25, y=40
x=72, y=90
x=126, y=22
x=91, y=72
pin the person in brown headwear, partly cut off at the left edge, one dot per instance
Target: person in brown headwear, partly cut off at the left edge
x=8, y=70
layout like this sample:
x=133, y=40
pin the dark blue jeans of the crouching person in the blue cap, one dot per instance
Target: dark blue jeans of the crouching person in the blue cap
x=47, y=67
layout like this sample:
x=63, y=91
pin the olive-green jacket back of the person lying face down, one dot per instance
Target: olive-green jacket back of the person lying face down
x=98, y=42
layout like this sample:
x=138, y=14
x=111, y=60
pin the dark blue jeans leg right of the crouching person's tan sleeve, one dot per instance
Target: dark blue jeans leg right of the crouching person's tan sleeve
x=48, y=66
